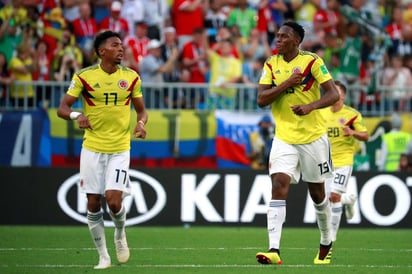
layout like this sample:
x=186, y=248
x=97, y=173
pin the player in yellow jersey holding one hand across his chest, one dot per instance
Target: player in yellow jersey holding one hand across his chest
x=290, y=83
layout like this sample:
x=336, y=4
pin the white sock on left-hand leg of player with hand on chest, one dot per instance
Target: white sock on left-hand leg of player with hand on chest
x=275, y=218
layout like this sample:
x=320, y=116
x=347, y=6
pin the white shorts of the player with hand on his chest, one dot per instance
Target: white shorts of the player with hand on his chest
x=312, y=160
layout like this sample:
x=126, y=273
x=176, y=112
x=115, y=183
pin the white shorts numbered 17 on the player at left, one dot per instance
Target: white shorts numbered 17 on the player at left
x=101, y=171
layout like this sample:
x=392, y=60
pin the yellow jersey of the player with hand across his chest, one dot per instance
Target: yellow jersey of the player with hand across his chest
x=292, y=128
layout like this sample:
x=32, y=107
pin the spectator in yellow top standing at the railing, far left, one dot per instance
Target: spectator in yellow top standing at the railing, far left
x=21, y=67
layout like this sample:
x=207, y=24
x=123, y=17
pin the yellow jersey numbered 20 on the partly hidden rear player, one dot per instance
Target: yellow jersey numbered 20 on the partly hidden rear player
x=343, y=148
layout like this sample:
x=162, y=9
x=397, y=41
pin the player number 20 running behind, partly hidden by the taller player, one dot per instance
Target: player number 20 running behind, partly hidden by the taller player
x=345, y=128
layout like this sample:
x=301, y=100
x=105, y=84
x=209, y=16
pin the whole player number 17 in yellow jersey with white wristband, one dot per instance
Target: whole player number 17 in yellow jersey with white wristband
x=107, y=91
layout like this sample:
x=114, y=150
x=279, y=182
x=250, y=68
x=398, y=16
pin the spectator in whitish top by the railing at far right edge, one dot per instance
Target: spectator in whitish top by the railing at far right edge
x=398, y=78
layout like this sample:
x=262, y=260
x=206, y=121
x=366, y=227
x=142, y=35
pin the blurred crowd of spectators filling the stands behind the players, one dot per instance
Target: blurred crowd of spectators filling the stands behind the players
x=208, y=41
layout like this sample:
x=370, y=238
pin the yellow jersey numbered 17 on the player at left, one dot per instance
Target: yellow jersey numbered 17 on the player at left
x=106, y=101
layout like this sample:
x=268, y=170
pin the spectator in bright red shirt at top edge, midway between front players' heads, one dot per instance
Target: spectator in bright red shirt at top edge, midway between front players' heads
x=183, y=12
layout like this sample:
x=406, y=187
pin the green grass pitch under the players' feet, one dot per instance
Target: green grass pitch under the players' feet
x=41, y=249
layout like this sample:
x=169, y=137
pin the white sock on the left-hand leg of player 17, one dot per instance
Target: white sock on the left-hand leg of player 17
x=96, y=227
